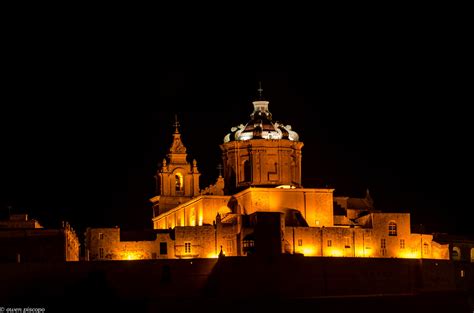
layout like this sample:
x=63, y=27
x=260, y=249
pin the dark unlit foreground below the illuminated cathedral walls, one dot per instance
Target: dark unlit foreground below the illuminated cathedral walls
x=240, y=284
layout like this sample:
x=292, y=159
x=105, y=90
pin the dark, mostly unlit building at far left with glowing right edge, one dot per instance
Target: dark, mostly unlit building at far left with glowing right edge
x=25, y=240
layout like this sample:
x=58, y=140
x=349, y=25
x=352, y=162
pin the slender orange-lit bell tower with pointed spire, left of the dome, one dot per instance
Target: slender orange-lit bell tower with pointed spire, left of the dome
x=177, y=180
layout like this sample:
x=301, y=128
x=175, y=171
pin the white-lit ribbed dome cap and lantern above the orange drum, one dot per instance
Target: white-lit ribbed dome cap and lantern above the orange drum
x=261, y=126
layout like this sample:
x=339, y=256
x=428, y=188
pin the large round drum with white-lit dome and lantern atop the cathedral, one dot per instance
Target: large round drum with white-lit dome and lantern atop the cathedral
x=262, y=152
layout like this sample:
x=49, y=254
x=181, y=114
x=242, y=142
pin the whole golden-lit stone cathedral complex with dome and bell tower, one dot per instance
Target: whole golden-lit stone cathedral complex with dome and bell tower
x=260, y=206
